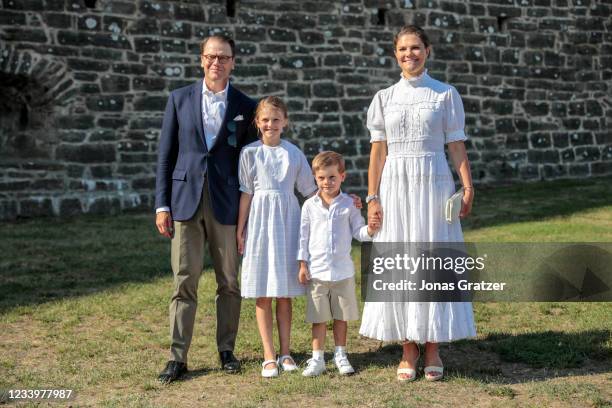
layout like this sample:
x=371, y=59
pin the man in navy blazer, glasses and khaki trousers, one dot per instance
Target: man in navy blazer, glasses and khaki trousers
x=205, y=125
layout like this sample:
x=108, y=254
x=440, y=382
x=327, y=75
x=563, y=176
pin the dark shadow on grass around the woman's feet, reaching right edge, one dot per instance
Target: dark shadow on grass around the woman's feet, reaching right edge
x=508, y=358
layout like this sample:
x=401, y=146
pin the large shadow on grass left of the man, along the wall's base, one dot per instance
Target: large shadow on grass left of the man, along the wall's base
x=53, y=258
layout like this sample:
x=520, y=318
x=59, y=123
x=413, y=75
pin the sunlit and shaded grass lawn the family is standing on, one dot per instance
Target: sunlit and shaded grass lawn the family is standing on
x=84, y=304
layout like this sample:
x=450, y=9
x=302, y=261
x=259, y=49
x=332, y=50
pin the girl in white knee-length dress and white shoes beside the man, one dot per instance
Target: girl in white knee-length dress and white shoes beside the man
x=270, y=170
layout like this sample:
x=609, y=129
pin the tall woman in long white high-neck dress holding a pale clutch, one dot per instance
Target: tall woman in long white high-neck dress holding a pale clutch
x=409, y=181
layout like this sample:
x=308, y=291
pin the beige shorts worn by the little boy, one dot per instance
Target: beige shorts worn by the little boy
x=331, y=300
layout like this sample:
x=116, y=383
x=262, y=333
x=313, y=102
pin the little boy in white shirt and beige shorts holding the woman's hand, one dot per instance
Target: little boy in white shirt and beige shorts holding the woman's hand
x=329, y=222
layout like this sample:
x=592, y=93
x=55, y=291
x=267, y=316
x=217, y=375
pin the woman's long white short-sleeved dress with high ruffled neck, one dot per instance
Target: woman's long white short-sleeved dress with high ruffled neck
x=416, y=117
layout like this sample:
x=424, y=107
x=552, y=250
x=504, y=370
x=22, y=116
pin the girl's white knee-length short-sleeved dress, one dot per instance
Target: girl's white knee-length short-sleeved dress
x=270, y=174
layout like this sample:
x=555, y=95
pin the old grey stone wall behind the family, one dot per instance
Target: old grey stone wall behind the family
x=84, y=84
